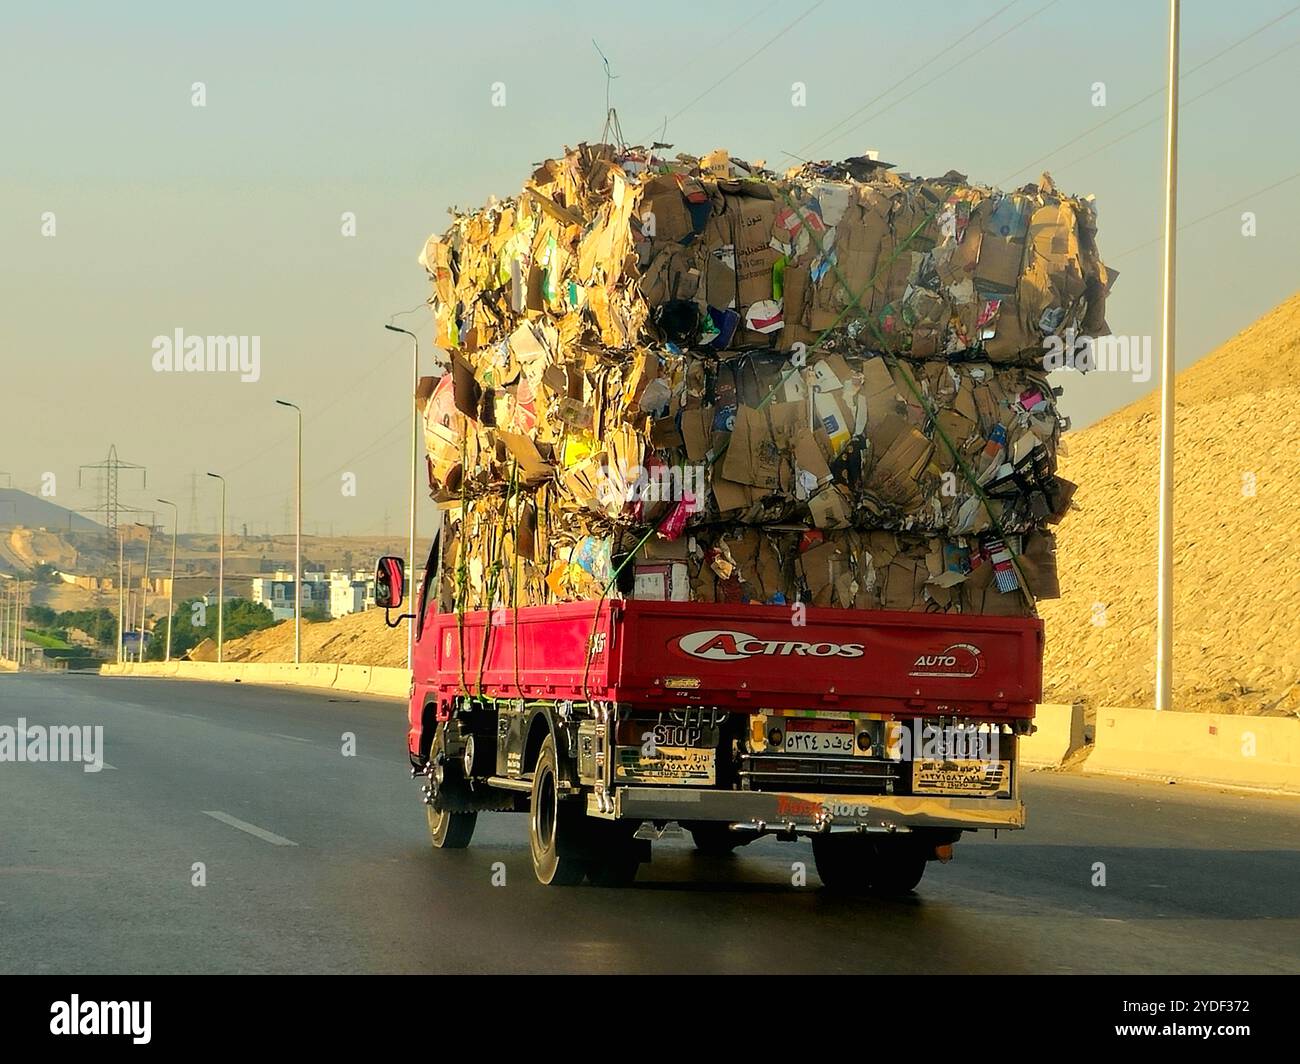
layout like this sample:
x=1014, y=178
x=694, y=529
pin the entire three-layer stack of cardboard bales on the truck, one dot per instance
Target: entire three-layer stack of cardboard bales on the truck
x=696, y=380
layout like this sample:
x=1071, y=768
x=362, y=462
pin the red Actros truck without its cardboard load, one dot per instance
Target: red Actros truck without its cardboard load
x=879, y=736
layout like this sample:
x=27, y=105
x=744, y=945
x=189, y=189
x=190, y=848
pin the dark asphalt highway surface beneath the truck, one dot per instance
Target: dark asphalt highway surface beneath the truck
x=98, y=870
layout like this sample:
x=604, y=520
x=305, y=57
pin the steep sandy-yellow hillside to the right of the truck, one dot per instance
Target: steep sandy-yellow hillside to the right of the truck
x=1237, y=578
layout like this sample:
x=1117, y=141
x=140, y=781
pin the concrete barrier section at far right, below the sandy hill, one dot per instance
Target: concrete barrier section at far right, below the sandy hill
x=1258, y=752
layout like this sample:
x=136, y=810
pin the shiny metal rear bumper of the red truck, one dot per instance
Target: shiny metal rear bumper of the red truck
x=817, y=814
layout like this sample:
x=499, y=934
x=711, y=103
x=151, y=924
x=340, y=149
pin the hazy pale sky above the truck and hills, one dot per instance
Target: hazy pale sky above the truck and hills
x=227, y=219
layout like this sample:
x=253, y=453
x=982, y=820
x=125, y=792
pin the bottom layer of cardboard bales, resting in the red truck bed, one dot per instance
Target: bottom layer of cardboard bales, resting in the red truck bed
x=519, y=550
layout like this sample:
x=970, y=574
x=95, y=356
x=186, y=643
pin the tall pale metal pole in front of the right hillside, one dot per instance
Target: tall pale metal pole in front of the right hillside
x=1165, y=555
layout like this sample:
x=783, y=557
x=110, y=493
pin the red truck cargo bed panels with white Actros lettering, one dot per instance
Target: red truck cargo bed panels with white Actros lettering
x=739, y=658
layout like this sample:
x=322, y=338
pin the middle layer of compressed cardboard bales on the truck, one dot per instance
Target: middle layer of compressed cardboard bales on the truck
x=686, y=439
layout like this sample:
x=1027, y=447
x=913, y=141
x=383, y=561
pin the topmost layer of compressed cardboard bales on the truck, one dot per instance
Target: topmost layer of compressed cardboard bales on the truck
x=621, y=249
